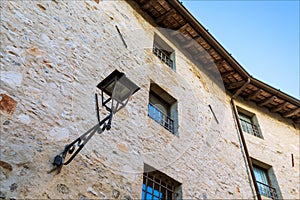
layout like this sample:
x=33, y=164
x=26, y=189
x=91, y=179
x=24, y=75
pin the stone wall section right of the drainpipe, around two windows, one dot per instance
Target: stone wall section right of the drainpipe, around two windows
x=280, y=141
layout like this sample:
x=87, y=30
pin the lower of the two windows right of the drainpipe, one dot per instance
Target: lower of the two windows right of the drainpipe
x=263, y=182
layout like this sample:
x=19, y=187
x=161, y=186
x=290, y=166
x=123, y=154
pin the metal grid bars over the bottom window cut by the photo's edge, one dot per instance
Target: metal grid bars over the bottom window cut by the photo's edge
x=164, y=191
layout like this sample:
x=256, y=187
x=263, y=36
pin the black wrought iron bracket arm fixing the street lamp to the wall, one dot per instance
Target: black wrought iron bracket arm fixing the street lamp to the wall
x=59, y=159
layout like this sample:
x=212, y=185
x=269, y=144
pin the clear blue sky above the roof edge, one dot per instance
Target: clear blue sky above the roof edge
x=263, y=36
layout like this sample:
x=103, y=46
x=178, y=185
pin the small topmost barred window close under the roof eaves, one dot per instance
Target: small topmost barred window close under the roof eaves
x=164, y=52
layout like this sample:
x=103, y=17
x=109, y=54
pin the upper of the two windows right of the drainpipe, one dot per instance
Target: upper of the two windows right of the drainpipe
x=249, y=123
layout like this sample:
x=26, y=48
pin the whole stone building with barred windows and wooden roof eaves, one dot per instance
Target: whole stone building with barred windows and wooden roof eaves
x=181, y=136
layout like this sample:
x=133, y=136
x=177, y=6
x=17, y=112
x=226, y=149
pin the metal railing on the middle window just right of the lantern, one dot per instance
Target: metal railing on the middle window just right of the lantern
x=160, y=117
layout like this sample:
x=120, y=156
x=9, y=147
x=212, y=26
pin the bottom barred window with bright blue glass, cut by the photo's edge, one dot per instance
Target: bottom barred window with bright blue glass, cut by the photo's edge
x=157, y=185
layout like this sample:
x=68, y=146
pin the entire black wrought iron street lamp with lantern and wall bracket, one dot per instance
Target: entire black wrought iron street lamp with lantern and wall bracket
x=116, y=89
